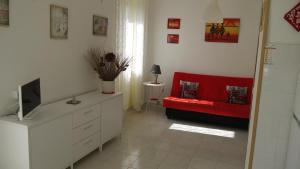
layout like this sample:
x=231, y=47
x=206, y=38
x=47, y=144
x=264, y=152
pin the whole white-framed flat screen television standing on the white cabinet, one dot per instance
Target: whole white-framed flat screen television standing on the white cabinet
x=29, y=98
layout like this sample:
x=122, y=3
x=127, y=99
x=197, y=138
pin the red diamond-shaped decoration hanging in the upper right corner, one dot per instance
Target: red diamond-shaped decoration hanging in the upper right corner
x=293, y=17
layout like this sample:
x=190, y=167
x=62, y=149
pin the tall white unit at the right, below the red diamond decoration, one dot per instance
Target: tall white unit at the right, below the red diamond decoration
x=277, y=105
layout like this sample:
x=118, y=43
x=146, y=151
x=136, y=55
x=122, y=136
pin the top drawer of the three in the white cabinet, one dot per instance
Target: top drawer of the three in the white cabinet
x=85, y=115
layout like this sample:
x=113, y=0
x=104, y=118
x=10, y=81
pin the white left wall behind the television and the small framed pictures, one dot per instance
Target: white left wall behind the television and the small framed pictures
x=27, y=52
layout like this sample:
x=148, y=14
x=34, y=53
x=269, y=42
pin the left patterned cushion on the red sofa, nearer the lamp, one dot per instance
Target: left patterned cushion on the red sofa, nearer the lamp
x=189, y=89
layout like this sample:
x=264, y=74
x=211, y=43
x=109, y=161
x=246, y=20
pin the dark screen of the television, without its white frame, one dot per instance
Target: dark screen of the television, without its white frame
x=31, y=96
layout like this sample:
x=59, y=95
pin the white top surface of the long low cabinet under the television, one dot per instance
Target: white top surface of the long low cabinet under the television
x=55, y=110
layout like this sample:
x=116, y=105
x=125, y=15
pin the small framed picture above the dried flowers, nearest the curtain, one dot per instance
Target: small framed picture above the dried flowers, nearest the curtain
x=100, y=25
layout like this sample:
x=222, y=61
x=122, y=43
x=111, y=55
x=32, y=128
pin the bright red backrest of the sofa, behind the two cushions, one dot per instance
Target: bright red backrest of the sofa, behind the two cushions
x=212, y=87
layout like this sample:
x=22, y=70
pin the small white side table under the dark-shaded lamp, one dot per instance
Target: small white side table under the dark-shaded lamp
x=153, y=92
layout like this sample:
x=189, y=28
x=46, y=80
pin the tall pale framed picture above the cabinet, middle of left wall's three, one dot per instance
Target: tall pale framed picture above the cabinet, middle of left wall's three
x=58, y=22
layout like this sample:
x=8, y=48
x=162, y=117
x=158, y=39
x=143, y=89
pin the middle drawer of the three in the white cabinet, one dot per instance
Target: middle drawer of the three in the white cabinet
x=86, y=130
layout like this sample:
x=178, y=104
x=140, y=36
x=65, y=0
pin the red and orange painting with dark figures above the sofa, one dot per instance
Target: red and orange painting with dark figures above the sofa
x=226, y=32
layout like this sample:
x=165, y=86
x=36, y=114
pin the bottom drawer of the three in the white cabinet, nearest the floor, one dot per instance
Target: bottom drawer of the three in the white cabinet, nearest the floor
x=86, y=146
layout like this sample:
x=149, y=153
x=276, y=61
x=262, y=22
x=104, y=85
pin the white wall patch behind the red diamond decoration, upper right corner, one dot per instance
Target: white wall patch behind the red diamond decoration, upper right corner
x=280, y=30
